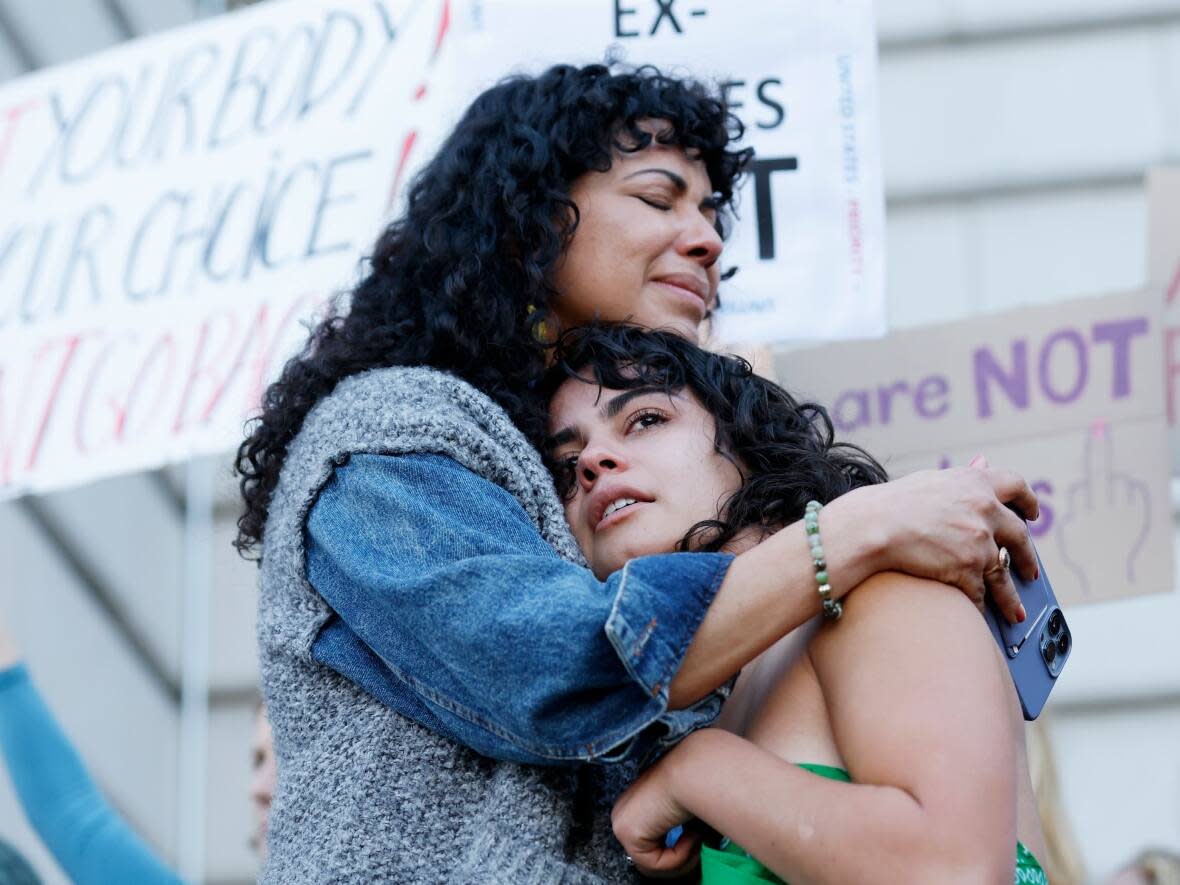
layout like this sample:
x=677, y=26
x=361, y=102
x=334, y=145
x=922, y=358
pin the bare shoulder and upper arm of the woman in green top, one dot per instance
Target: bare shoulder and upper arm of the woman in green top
x=917, y=694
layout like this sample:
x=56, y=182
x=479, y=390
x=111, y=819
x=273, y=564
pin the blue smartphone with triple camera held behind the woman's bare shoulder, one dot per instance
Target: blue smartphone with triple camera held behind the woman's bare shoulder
x=1038, y=648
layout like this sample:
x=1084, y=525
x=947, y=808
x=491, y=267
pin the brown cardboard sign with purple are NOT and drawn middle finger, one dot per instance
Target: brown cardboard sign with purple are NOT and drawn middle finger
x=1067, y=395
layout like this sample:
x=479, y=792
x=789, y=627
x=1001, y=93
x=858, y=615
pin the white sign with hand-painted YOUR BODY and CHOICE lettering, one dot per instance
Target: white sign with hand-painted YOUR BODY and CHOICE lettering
x=172, y=211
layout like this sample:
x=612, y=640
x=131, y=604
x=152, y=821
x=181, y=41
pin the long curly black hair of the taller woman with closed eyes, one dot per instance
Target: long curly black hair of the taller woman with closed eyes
x=462, y=280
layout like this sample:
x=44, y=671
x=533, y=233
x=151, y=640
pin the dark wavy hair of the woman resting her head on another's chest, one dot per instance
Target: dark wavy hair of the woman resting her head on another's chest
x=785, y=450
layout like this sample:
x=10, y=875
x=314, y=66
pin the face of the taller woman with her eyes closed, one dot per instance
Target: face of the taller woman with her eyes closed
x=646, y=250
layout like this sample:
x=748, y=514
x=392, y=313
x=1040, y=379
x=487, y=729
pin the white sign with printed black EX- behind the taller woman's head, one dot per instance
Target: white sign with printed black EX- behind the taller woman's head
x=809, y=242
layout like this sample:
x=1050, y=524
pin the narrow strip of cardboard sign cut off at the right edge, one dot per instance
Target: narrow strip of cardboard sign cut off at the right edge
x=1164, y=272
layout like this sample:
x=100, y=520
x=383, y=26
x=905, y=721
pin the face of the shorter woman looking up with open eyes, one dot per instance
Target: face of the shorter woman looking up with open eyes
x=645, y=470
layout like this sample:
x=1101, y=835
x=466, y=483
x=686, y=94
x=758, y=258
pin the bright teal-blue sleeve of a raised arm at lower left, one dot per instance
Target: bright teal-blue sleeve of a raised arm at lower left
x=87, y=837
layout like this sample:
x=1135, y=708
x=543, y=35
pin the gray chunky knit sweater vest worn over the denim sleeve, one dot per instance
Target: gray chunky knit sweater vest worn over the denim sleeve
x=366, y=795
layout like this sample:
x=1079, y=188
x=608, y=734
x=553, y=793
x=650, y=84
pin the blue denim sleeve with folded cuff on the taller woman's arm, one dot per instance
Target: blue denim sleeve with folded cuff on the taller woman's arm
x=455, y=612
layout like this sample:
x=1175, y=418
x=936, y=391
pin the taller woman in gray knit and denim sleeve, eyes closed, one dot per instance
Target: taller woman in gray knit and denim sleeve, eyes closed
x=437, y=660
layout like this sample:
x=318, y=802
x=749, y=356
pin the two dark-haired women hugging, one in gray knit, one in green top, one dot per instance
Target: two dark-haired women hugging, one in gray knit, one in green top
x=473, y=678
